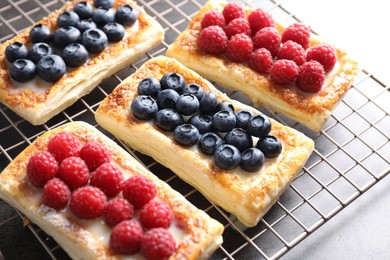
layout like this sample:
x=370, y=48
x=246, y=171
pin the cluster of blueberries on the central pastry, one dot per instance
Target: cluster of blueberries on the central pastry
x=196, y=117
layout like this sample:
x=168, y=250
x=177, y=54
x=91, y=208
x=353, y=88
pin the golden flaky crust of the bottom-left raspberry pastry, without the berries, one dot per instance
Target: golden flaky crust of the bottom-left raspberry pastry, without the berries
x=202, y=234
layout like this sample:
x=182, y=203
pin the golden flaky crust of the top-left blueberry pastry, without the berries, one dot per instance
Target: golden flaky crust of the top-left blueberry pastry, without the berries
x=40, y=105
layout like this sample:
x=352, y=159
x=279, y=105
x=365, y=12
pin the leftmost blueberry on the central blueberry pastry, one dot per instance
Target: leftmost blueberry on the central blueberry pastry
x=144, y=107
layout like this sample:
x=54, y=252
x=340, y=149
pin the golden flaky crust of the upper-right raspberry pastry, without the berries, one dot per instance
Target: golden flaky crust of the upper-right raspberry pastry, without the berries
x=311, y=110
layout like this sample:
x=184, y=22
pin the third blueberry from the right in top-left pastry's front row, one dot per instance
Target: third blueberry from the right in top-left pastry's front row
x=94, y=40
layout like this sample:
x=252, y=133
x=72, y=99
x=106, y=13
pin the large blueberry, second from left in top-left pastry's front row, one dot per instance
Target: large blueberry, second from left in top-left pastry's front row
x=51, y=68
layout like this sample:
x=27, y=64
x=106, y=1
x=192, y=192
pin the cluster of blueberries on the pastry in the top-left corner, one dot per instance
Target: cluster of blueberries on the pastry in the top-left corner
x=80, y=32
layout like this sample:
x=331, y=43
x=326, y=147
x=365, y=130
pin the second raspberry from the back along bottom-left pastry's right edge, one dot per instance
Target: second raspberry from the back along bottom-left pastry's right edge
x=94, y=154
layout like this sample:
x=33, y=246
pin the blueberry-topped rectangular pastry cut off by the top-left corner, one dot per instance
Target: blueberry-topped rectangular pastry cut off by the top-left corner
x=64, y=56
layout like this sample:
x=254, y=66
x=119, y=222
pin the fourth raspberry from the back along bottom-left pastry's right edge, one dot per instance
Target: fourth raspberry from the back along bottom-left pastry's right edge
x=139, y=190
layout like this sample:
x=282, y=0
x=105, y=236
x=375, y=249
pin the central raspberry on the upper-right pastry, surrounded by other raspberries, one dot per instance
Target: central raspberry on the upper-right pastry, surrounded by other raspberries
x=268, y=38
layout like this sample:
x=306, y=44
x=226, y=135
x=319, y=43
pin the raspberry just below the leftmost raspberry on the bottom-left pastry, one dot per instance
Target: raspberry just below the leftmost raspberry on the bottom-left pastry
x=56, y=194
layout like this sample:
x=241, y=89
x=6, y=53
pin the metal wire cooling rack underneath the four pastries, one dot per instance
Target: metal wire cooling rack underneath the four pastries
x=351, y=153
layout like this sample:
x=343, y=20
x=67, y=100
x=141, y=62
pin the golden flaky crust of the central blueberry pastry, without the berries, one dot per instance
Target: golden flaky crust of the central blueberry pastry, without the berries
x=247, y=195
